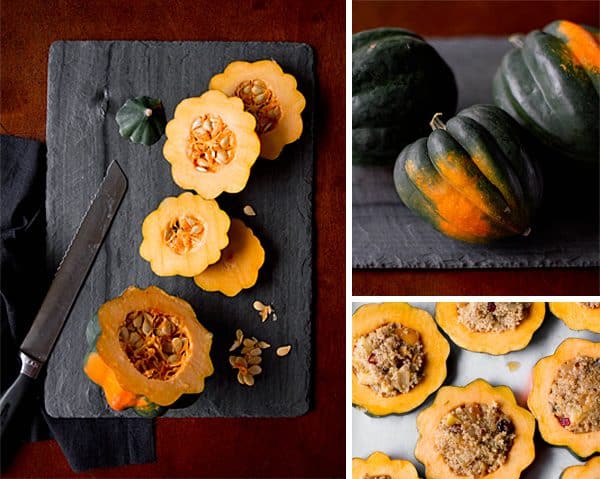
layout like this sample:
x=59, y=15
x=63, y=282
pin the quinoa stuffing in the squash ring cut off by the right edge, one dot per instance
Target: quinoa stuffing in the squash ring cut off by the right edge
x=575, y=395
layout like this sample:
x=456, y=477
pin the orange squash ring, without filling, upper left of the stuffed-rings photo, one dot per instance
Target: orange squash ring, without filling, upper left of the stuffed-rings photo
x=436, y=349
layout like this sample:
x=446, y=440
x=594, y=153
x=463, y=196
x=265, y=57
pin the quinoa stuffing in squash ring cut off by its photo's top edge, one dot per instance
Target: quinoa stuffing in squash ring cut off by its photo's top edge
x=492, y=317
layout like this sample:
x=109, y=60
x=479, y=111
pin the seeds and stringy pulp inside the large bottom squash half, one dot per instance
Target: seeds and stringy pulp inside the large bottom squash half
x=154, y=343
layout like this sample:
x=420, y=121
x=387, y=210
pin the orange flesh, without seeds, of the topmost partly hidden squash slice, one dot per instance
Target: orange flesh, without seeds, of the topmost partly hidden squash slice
x=291, y=102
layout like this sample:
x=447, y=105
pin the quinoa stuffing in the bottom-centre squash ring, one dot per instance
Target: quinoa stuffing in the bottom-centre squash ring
x=475, y=439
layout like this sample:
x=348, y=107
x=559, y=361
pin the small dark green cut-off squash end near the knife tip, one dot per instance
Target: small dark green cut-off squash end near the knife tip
x=136, y=125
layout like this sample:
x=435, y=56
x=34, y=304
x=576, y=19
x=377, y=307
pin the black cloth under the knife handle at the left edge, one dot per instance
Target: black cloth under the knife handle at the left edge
x=86, y=443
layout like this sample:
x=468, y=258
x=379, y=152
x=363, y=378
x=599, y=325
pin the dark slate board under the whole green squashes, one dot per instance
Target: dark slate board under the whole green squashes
x=385, y=234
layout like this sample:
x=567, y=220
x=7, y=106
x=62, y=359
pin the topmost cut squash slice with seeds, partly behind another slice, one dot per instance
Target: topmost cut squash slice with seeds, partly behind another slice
x=272, y=98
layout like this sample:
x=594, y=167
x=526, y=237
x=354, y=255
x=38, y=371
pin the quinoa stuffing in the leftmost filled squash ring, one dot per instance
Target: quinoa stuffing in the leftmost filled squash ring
x=389, y=359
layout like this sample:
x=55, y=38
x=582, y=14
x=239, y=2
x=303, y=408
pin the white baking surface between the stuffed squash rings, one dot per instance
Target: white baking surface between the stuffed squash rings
x=397, y=436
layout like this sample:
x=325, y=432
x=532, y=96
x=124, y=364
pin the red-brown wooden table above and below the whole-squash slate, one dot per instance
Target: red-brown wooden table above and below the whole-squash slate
x=456, y=18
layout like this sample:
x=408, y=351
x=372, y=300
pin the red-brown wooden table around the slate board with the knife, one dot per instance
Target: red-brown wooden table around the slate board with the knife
x=309, y=446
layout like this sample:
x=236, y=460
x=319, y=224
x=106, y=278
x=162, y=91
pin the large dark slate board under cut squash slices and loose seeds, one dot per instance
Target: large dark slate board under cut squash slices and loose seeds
x=87, y=83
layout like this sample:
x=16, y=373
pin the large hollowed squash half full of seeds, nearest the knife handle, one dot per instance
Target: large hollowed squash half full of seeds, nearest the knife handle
x=150, y=350
